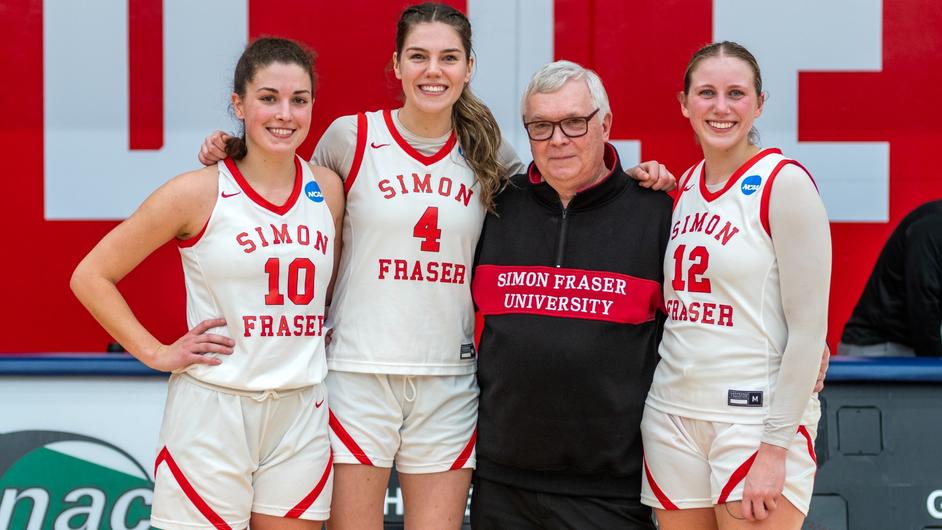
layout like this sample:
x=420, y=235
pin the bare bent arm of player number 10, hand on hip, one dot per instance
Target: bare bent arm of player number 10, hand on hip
x=176, y=209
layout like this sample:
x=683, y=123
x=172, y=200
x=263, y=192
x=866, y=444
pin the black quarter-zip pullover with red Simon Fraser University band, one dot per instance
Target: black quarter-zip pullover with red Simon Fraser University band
x=571, y=299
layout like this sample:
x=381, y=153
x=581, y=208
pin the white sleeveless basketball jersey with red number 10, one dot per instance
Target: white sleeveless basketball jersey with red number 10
x=264, y=268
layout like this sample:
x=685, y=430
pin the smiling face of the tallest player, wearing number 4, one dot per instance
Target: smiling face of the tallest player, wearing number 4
x=434, y=68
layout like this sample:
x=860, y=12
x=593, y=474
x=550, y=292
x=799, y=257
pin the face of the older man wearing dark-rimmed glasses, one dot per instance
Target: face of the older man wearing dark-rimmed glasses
x=568, y=164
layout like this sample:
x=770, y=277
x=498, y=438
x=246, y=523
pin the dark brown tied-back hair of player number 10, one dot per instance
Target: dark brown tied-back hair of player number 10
x=257, y=55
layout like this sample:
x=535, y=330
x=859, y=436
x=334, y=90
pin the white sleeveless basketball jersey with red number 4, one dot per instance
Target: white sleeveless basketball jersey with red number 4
x=402, y=301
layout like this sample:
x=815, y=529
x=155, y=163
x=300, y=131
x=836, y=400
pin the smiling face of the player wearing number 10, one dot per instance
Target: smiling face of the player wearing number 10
x=276, y=108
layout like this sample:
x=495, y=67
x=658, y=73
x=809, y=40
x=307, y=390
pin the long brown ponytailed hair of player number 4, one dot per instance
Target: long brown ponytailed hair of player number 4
x=477, y=130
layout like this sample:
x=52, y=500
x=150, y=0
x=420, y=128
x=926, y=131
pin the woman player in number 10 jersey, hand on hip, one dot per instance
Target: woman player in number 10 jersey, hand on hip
x=245, y=433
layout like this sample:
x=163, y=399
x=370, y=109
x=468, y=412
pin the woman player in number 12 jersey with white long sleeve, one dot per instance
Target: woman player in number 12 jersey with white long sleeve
x=730, y=419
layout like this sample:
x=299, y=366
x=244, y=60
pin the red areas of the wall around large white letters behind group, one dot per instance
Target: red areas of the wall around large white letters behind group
x=624, y=40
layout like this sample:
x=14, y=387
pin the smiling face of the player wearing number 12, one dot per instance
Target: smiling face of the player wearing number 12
x=722, y=102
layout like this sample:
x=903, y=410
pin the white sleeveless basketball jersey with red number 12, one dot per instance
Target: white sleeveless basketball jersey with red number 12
x=725, y=331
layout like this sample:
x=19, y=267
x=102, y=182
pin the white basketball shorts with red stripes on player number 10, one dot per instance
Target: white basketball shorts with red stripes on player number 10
x=225, y=454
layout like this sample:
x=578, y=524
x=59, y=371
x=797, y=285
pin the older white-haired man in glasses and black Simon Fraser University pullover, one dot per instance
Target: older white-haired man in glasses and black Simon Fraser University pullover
x=568, y=278
